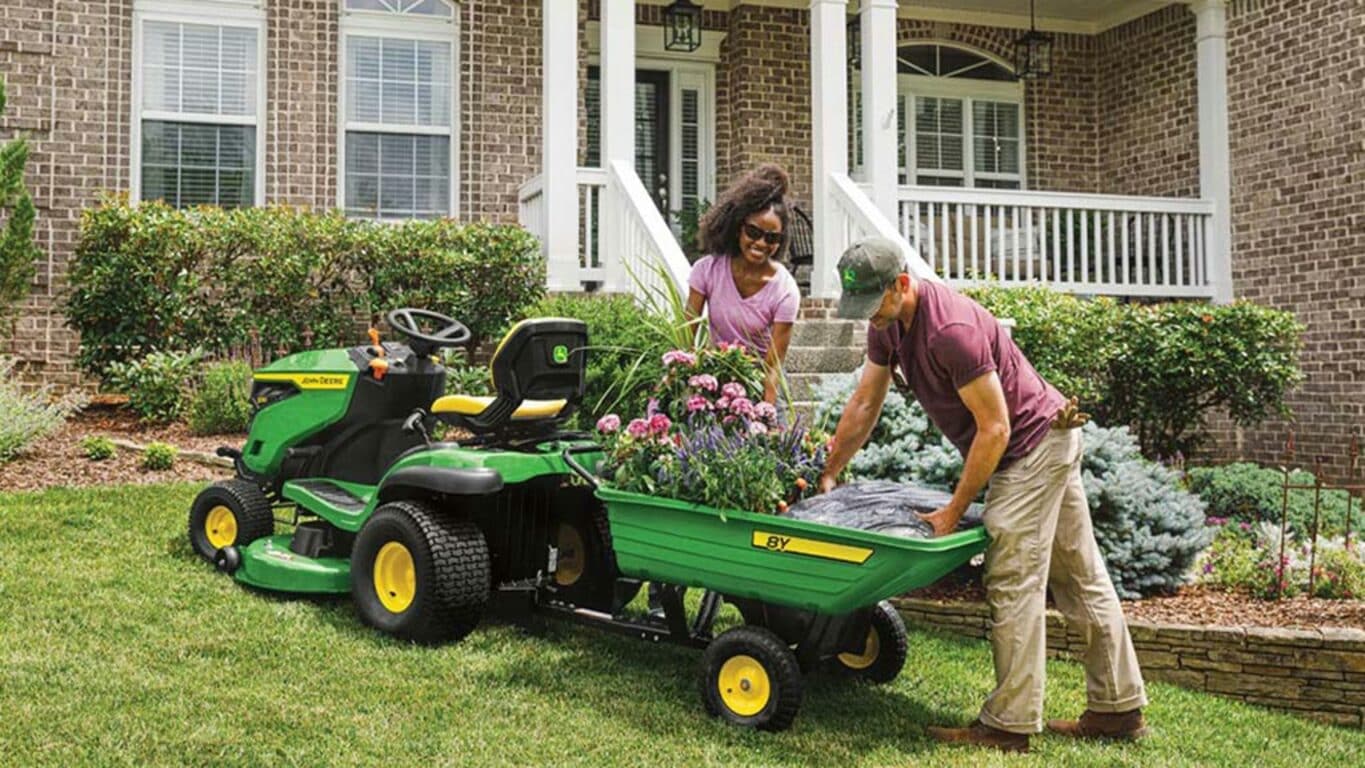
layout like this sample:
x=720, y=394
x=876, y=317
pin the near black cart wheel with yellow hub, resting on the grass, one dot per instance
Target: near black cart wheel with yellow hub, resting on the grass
x=751, y=679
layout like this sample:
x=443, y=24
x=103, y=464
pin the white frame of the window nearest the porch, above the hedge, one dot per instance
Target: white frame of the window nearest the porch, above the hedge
x=407, y=27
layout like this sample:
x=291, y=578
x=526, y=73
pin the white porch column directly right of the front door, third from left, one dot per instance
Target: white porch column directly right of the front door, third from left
x=829, y=136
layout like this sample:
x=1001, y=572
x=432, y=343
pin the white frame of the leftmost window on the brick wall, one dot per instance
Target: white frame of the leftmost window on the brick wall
x=215, y=13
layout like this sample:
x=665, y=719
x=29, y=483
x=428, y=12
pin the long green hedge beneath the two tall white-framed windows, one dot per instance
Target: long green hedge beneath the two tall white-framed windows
x=149, y=278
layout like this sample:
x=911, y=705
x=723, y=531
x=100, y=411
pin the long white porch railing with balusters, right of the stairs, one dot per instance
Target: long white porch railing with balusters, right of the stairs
x=1080, y=243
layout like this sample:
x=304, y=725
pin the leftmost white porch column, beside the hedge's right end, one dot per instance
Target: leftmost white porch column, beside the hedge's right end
x=560, y=137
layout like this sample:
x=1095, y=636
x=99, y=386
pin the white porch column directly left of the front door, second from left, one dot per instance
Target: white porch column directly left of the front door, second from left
x=618, y=129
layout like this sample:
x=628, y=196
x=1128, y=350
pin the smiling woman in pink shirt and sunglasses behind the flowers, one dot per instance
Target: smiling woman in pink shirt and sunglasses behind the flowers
x=750, y=297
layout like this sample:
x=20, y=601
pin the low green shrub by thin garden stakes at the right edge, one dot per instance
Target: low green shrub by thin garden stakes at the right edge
x=1247, y=493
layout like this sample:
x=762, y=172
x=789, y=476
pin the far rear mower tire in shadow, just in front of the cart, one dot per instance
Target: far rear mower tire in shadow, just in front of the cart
x=586, y=574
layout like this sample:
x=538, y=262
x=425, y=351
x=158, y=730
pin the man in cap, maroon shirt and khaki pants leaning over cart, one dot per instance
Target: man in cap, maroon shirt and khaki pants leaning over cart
x=1020, y=436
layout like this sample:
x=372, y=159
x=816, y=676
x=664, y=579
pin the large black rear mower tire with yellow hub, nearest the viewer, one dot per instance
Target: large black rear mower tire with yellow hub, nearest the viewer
x=450, y=568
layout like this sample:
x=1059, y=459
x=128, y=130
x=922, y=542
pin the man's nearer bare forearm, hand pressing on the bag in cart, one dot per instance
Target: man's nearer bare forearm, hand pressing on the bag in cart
x=985, y=398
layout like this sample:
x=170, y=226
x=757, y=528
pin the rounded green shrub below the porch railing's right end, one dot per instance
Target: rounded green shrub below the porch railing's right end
x=1181, y=362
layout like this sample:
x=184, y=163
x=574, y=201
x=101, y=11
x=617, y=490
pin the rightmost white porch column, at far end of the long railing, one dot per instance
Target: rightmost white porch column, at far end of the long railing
x=1214, y=166
